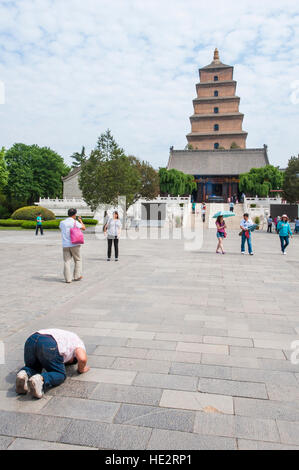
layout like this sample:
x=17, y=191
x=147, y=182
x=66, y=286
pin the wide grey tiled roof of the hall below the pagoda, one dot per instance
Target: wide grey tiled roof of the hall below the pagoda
x=217, y=162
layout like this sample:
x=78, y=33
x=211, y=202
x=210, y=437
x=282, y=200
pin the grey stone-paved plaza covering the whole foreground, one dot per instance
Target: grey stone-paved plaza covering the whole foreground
x=187, y=350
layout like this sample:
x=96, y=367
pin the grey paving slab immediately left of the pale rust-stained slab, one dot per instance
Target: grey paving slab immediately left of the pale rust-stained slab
x=127, y=394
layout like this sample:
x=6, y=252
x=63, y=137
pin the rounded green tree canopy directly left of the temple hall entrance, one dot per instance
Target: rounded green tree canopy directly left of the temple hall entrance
x=176, y=183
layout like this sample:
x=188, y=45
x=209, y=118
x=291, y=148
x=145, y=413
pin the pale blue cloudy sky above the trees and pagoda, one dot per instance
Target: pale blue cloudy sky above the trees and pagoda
x=70, y=69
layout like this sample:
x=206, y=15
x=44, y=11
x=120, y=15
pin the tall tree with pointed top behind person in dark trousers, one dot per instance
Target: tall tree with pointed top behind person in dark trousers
x=108, y=174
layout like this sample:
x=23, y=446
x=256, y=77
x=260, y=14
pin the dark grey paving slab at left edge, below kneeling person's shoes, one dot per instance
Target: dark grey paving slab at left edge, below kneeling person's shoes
x=32, y=426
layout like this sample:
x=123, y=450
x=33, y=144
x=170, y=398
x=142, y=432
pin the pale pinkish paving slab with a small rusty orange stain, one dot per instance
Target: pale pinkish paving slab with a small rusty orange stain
x=196, y=401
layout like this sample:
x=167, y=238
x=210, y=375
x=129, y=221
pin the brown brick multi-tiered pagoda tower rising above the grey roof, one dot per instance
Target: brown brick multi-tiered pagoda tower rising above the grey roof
x=216, y=122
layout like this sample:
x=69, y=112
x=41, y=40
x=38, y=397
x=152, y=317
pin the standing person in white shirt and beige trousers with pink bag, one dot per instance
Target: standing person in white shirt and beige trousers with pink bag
x=70, y=250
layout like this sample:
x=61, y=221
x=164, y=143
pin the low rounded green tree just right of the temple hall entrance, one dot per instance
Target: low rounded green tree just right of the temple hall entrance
x=260, y=181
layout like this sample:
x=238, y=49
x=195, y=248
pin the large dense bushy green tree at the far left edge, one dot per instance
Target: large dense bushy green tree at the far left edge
x=34, y=172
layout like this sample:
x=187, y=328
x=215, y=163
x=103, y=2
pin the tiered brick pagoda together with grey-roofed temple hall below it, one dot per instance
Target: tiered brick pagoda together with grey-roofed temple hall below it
x=216, y=152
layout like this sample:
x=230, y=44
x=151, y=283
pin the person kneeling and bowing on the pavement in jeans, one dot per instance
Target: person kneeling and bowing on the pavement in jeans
x=49, y=350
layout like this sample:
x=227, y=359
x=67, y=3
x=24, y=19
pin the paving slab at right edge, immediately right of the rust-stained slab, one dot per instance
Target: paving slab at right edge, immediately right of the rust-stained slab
x=267, y=409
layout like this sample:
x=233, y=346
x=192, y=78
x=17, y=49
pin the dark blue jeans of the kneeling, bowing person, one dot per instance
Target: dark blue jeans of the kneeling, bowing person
x=41, y=352
